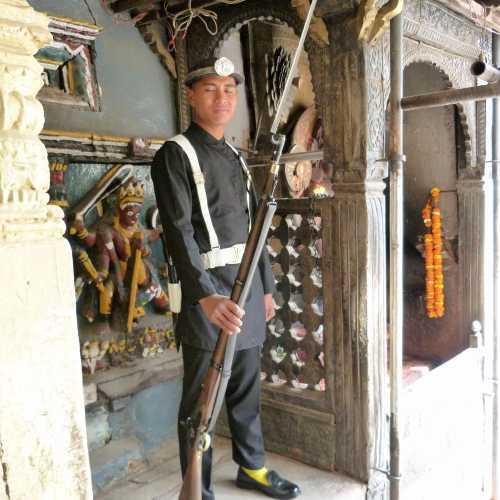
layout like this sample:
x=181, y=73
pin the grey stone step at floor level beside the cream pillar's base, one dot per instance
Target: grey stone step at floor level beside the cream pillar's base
x=116, y=460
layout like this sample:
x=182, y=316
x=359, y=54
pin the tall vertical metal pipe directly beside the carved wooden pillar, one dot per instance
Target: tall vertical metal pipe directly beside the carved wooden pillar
x=396, y=160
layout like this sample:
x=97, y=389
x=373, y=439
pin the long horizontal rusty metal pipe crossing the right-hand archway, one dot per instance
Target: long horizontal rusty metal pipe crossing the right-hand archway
x=452, y=96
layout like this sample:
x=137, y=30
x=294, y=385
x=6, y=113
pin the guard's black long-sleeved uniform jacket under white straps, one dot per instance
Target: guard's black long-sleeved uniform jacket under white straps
x=187, y=237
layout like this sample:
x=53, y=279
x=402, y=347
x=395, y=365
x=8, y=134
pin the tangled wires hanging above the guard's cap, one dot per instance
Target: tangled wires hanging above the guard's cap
x=181, y=21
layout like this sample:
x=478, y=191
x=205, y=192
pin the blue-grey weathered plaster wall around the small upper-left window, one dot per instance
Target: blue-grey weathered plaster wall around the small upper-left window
x=137, y=92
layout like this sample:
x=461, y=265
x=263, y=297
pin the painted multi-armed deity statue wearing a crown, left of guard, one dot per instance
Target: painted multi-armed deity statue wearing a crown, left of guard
x=120, y=248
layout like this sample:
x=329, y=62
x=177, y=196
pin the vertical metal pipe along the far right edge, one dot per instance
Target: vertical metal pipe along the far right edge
x=496, y=282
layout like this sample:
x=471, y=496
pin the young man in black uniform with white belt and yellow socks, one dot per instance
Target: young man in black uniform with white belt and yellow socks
x=206, y=200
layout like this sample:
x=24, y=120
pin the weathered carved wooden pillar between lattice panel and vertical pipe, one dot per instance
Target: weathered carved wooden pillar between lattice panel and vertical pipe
x=353, y=114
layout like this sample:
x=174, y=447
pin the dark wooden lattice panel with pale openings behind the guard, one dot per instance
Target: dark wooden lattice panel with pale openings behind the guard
x=293, y=354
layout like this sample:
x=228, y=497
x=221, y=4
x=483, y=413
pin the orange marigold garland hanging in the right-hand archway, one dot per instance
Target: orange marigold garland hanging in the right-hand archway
x=434, y=277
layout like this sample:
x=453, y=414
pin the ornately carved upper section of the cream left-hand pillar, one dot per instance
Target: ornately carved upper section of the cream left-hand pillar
x=24, y=170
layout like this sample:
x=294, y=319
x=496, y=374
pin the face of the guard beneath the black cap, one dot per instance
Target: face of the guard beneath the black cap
x=213, y=99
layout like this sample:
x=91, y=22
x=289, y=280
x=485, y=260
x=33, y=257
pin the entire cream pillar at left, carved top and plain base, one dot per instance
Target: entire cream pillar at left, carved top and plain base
x=43, y=450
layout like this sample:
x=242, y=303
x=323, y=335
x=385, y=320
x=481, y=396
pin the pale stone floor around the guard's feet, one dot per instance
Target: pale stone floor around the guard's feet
x=162, y=481
